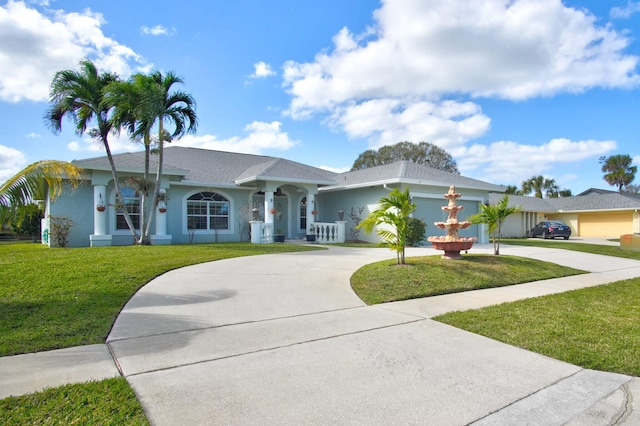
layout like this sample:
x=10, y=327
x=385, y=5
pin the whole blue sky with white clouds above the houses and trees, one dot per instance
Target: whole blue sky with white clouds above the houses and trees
x=511, y=89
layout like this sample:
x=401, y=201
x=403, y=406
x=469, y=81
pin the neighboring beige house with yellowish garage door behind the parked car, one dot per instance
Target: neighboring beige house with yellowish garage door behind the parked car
x=592, y=213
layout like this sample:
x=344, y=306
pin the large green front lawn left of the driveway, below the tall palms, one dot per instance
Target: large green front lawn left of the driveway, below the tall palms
x=58, y=298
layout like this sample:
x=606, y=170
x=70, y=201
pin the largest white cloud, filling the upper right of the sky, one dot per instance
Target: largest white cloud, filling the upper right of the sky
x=427, y=49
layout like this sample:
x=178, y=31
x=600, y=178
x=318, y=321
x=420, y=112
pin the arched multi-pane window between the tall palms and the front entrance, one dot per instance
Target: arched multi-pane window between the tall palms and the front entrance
x=207, y=211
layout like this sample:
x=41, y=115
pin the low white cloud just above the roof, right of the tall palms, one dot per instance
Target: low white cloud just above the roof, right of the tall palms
x=261, y=136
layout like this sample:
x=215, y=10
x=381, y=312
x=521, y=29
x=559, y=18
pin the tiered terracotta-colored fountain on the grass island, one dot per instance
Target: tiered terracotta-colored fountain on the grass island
x=452, y=243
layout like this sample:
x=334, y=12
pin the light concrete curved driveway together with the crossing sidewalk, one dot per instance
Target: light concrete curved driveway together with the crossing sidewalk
x=282, y=339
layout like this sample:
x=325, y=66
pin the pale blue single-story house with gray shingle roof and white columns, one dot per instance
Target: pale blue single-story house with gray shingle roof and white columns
x=216, y=196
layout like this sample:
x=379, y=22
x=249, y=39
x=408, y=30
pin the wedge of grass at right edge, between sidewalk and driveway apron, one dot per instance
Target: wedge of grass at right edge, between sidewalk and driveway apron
x=596, y=328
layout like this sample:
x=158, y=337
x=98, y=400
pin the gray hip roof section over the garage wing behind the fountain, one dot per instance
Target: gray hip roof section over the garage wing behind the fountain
x=409, y=172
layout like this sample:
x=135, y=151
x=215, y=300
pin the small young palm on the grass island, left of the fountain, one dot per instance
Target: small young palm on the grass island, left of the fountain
x=394, y=211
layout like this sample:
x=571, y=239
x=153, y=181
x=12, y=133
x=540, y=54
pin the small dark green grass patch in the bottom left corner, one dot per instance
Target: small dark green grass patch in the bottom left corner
x=106, y=402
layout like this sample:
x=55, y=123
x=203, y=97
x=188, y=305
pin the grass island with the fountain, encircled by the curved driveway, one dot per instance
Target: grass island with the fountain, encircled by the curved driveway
x=385, y=281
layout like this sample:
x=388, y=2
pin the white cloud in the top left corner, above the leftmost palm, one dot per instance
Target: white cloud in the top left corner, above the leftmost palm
x=35, y=44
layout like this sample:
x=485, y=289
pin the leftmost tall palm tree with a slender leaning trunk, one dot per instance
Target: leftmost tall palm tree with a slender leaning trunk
x=80, y=96
